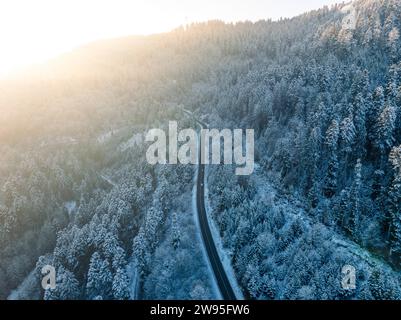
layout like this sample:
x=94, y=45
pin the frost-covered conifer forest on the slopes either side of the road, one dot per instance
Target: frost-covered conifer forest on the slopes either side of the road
x=323, y=93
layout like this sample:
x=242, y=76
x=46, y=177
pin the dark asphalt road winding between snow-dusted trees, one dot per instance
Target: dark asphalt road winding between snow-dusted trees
x=223, y=283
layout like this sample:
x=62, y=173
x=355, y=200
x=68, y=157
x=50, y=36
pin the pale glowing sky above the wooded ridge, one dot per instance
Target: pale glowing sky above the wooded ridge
x=32, y=31
